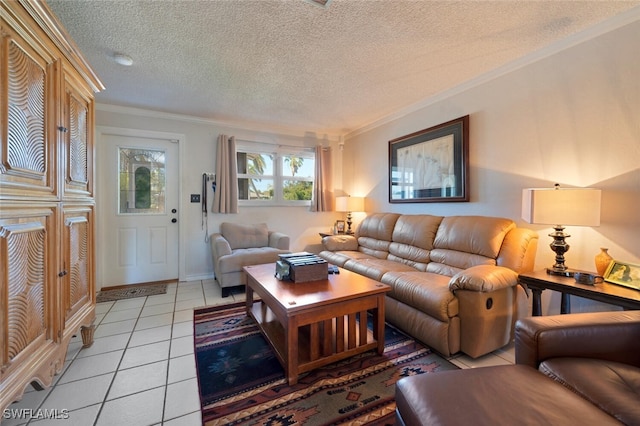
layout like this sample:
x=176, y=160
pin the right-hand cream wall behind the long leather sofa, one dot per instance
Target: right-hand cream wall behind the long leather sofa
x=572, y=117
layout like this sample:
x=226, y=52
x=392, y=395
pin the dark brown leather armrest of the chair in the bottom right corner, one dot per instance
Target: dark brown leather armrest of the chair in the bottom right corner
x=612, y=336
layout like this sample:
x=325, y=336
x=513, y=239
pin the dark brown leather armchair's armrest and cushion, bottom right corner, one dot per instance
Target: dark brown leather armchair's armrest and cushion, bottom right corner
x=595, y=355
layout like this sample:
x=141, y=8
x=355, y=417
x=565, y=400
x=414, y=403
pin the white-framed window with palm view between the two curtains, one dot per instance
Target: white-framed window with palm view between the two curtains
x=275, y=175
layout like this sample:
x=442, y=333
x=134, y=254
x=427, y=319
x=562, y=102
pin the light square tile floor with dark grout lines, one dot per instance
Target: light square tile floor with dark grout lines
x=140, y=369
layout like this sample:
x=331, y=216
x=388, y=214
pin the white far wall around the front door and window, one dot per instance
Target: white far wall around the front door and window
x=199, y=157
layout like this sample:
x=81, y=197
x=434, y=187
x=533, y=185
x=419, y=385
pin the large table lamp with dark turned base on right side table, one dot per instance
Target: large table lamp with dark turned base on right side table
x=565, y=206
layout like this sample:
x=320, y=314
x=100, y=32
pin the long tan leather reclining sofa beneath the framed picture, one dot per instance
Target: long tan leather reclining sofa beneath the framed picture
x=453, y=279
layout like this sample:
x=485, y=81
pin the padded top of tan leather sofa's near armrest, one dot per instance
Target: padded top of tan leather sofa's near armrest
x=483, y=278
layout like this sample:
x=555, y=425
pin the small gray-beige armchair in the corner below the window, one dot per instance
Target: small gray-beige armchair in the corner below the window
x=238, y=245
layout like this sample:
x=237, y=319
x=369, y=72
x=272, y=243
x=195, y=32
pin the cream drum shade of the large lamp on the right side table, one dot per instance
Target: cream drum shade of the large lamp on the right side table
x=559, y=206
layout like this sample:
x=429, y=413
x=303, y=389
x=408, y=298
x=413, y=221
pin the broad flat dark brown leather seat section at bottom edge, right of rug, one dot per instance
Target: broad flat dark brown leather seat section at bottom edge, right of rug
x=498, y=395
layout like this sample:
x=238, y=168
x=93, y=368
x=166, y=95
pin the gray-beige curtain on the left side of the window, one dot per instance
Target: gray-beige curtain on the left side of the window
x=225, y=198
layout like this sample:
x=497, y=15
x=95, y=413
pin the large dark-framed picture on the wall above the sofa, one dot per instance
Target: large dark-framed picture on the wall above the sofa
x=431, y=165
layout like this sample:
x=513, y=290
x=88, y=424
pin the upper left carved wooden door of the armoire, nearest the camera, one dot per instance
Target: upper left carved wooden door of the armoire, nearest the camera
x=27, y=159
